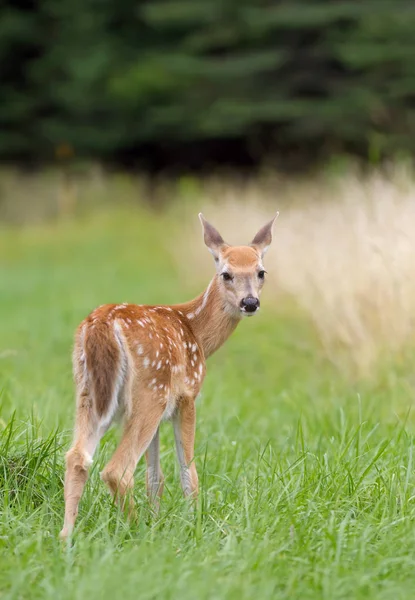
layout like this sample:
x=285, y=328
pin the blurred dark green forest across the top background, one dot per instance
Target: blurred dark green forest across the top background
x=193, y=80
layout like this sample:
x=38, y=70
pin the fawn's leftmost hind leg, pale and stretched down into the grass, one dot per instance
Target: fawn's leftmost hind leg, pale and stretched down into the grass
x=87, y=436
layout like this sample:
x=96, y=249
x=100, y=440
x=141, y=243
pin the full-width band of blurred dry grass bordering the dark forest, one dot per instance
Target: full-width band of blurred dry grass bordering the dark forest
x=344, y=249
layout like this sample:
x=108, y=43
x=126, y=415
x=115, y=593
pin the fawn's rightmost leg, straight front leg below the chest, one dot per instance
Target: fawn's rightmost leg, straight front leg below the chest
x=184, y=423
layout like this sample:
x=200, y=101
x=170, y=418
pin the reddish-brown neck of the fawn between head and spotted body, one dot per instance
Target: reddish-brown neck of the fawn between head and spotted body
x=211, y=322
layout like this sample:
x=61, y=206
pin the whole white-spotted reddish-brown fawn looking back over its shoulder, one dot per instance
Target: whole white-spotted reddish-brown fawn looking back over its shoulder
x=146, y=364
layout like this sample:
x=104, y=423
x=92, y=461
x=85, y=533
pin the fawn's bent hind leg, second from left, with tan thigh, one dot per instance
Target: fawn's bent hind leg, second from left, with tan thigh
x=139, y=430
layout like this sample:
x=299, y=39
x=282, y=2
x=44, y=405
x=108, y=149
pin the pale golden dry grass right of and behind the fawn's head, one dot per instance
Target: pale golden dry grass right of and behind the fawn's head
x=344, y=252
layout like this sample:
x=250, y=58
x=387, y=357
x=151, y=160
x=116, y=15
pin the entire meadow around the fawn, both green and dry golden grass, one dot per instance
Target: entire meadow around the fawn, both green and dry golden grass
x=305, y=430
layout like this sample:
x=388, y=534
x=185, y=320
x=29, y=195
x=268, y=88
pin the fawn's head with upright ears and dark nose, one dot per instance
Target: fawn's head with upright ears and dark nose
x=240, y=271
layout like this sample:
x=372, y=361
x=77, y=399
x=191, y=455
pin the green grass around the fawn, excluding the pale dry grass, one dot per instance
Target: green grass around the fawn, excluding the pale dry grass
x=307, y=482
